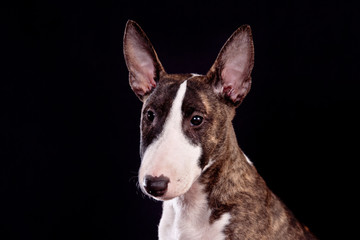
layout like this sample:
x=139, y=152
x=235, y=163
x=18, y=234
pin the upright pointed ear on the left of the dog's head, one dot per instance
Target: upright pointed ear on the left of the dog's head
x=141, y=60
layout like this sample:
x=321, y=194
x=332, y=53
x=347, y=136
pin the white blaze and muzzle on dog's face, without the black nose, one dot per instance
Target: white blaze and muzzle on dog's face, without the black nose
x=172, y=154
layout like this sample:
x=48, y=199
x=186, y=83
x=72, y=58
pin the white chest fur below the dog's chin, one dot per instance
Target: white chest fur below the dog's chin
x=187, y=218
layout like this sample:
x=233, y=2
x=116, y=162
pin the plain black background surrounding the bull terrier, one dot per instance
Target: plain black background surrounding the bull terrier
x=69, y=120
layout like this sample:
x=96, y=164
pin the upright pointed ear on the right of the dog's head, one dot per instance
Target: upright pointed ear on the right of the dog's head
x=231, y=71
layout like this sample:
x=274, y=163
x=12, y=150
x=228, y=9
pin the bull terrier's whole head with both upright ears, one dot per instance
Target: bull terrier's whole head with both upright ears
x=185, y=117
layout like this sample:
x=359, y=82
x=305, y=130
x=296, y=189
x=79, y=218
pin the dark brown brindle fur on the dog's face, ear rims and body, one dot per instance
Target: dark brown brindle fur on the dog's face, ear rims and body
x=232, y=184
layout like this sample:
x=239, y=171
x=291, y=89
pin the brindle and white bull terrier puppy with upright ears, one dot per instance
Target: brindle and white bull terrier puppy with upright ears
x=190, y=158
